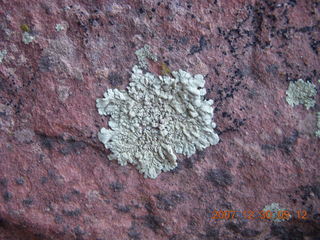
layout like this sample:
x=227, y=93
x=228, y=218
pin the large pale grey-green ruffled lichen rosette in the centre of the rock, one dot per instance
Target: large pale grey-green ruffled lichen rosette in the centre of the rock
x=156, y=118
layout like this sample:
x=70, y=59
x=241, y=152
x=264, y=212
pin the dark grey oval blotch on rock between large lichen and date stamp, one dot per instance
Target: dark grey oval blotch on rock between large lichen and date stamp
x=219, y=177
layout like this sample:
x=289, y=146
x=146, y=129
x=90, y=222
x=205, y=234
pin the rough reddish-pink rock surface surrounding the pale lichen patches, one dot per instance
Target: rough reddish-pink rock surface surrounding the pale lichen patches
x=55, y=179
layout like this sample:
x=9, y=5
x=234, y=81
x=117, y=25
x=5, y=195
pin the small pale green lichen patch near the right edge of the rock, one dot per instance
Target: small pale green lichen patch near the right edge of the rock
x=301, y=92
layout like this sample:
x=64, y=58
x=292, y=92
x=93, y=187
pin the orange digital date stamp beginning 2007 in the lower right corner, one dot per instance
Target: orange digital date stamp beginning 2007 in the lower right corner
x=280, y=215
